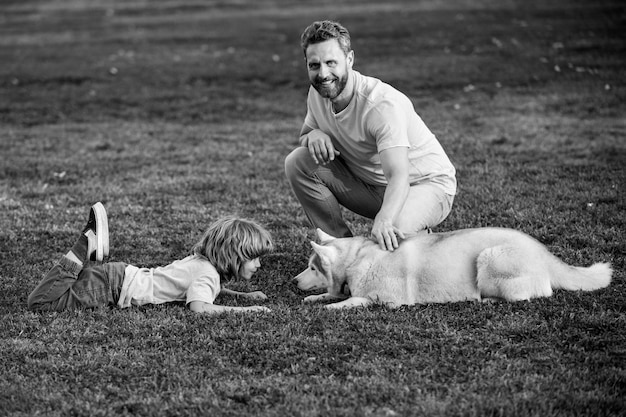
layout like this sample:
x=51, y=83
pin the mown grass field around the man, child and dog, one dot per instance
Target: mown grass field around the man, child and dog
x=174, y=113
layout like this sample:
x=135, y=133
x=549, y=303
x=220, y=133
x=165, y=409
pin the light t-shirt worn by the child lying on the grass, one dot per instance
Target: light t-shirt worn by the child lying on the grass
x=189, y=279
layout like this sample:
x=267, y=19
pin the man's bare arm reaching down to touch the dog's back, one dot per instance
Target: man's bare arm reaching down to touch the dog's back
x=395, y=165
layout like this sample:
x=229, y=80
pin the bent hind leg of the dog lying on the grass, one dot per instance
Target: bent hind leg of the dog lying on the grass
x=509, y=272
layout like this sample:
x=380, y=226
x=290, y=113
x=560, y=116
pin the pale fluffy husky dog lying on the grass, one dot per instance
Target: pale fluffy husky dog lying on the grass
x=469, y=264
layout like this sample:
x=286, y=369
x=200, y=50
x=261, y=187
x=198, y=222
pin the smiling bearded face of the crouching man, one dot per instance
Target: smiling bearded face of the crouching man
x=328, y=67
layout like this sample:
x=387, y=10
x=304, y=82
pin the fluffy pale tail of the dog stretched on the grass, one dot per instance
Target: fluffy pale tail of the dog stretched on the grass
x=576, y=278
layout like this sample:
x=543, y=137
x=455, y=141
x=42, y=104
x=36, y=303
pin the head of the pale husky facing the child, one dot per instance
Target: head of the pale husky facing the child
x=325, y=271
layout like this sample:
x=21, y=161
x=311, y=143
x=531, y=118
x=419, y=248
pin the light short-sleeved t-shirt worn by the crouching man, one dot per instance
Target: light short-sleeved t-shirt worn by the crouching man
x=380, y=117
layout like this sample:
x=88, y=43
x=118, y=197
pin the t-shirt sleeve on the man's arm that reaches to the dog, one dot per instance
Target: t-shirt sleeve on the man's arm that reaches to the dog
x=387, y=123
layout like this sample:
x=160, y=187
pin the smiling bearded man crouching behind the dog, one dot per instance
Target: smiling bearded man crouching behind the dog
x=364, y=147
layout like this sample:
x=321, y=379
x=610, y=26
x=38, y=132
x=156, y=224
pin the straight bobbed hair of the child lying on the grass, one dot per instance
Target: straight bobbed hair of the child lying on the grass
x=231, y=241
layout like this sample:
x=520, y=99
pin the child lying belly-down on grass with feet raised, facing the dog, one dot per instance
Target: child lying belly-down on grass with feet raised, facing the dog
x=230, y=248
